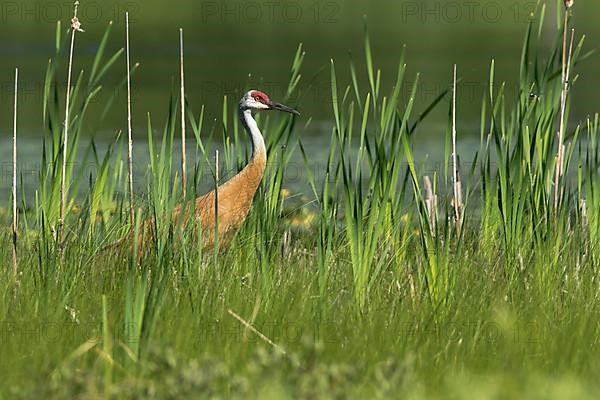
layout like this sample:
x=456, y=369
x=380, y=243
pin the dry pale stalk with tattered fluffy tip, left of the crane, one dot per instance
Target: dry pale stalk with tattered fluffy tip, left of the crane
x=75, y=27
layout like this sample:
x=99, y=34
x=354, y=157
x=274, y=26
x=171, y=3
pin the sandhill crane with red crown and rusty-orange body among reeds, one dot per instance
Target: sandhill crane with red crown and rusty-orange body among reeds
x=235, y=196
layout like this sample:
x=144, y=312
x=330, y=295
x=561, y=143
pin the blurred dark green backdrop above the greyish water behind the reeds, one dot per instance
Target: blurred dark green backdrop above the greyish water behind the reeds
x=233, y=45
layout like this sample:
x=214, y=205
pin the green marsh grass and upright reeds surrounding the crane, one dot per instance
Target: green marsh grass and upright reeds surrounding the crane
x=369, y=300
